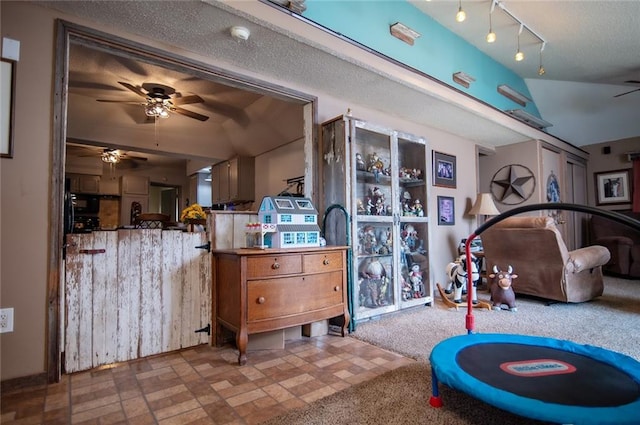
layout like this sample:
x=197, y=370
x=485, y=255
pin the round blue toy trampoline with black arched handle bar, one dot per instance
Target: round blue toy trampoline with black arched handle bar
x=540, y=378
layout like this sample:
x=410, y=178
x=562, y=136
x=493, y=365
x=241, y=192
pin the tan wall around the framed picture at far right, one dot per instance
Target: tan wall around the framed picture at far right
x=616, y=160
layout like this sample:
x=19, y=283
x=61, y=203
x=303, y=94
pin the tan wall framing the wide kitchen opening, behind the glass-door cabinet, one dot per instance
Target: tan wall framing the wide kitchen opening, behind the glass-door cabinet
x=25, y=183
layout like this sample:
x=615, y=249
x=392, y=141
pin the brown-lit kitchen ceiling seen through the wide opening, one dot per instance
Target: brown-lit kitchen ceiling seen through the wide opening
x=106, y=109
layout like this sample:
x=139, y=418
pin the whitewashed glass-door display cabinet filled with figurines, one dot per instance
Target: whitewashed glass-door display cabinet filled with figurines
x=380, y=177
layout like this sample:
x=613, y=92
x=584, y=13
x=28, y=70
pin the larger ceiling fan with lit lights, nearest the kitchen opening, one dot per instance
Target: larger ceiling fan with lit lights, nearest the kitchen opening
x=160, y=100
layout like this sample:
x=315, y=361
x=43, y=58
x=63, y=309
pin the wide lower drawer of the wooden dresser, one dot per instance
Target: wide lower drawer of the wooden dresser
x=272, y=298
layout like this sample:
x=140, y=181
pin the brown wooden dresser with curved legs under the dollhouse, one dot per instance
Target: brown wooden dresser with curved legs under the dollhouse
x=259, y=290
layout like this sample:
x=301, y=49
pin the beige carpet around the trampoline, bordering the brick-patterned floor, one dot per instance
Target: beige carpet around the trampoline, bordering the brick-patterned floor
x=402, y=396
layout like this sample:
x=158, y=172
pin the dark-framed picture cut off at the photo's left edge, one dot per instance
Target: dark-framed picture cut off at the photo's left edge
x=7, y=89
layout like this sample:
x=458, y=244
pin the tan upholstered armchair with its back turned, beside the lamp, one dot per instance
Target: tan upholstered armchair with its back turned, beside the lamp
x=533, y=246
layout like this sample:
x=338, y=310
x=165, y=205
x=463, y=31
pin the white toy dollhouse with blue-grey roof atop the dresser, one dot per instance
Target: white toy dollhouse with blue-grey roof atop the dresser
x=296, y=221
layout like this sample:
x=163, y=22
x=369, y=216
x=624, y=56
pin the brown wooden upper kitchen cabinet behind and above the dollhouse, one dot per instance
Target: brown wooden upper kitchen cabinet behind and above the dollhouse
x=233, y=181
